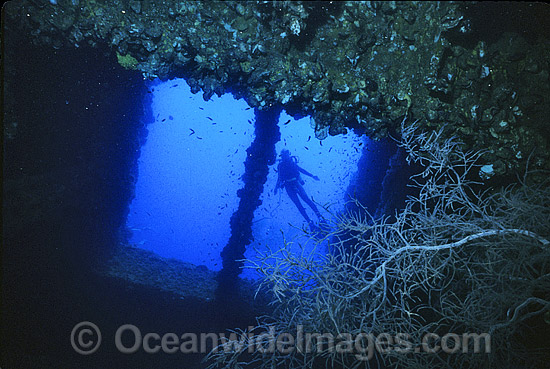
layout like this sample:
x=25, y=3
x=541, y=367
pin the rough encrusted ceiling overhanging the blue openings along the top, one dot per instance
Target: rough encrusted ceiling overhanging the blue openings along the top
x=347, y=64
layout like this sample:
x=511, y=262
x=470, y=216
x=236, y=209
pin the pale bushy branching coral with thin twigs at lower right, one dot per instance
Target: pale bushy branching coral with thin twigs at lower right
x=454, y=262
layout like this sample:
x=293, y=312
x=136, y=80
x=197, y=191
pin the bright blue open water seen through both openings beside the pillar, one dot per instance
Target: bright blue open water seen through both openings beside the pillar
x=190, y=170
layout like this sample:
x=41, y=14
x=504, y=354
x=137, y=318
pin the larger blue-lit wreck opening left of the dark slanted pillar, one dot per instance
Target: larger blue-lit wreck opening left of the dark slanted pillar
x=190, y=169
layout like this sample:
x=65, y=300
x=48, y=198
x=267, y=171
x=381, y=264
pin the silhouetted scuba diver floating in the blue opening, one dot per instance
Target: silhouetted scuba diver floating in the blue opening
x=289, y=178
